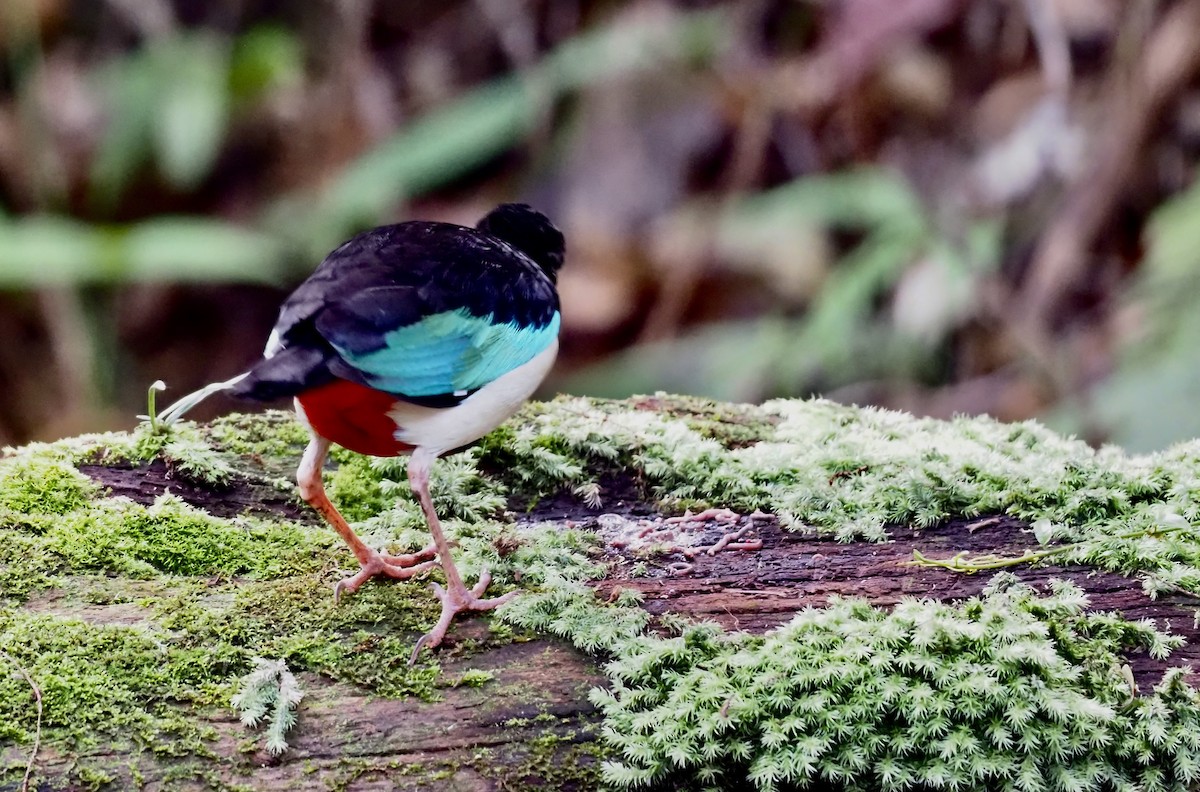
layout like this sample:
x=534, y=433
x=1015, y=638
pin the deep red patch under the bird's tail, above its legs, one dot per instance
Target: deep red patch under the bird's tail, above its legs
x=355, y=417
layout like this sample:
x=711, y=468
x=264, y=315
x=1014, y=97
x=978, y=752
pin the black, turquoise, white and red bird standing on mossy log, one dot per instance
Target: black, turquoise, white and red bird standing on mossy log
x=413, y=339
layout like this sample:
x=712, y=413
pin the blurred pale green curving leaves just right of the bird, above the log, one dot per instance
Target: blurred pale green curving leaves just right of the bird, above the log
x=841, y=337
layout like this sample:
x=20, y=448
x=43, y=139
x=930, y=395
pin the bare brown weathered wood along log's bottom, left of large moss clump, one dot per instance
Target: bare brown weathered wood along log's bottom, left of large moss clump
x=521, y=731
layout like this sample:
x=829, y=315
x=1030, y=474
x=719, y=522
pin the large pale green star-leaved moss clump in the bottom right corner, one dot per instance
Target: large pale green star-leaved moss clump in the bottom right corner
x=1005, y=692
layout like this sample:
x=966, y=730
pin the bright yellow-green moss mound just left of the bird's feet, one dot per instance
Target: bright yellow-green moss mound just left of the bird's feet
x=172, y=537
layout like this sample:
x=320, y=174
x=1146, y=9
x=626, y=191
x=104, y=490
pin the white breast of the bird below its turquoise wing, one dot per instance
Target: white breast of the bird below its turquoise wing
x=447, y=429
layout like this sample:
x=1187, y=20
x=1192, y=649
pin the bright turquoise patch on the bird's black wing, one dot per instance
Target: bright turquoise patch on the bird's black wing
x=449, y=352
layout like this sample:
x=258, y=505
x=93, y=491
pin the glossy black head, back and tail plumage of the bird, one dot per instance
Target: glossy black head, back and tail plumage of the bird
x=394, y=277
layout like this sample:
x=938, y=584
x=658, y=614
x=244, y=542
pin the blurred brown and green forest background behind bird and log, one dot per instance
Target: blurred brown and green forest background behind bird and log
x=939, y=206
